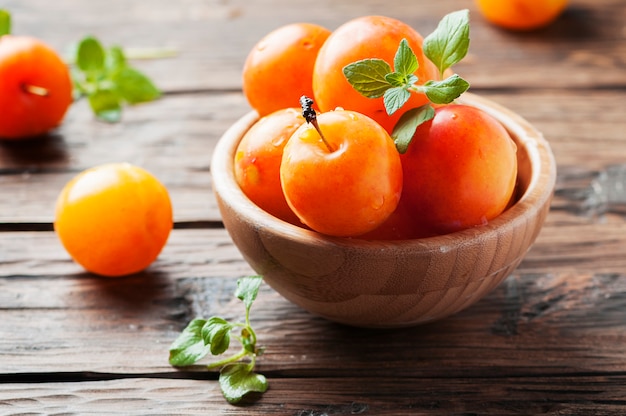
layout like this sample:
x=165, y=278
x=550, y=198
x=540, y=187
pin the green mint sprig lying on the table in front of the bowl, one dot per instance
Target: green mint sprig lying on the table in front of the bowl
x=203, y=336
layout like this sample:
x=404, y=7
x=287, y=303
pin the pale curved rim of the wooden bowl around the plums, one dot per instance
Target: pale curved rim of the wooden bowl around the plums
x=536, y=196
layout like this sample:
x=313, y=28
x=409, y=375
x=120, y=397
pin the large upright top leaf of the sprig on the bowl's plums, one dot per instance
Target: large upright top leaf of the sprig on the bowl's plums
x=449, y=42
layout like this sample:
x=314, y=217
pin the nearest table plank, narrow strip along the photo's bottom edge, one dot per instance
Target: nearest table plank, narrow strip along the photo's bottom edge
x=585, y=395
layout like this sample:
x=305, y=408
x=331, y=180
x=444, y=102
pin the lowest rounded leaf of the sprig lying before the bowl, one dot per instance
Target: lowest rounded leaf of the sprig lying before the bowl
x=237, y=380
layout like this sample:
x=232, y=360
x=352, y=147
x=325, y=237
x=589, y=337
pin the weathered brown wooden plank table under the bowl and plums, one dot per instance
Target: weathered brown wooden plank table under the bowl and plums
x=551, y=339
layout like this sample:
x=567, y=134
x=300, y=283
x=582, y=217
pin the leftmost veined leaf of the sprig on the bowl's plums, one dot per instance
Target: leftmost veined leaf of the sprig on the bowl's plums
x=368, y=77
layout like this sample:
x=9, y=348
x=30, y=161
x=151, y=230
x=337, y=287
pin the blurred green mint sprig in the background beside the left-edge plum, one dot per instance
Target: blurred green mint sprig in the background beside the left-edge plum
x=108, y=81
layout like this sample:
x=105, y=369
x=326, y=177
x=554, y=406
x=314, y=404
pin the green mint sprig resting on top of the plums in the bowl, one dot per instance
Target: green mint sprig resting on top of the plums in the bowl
x=374, y=78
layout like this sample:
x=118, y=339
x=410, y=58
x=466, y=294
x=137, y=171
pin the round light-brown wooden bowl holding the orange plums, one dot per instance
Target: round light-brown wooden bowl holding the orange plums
x=389, y=283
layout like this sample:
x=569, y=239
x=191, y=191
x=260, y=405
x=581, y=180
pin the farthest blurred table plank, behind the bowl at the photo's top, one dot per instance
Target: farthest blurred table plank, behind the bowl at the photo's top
x=212, y=39
